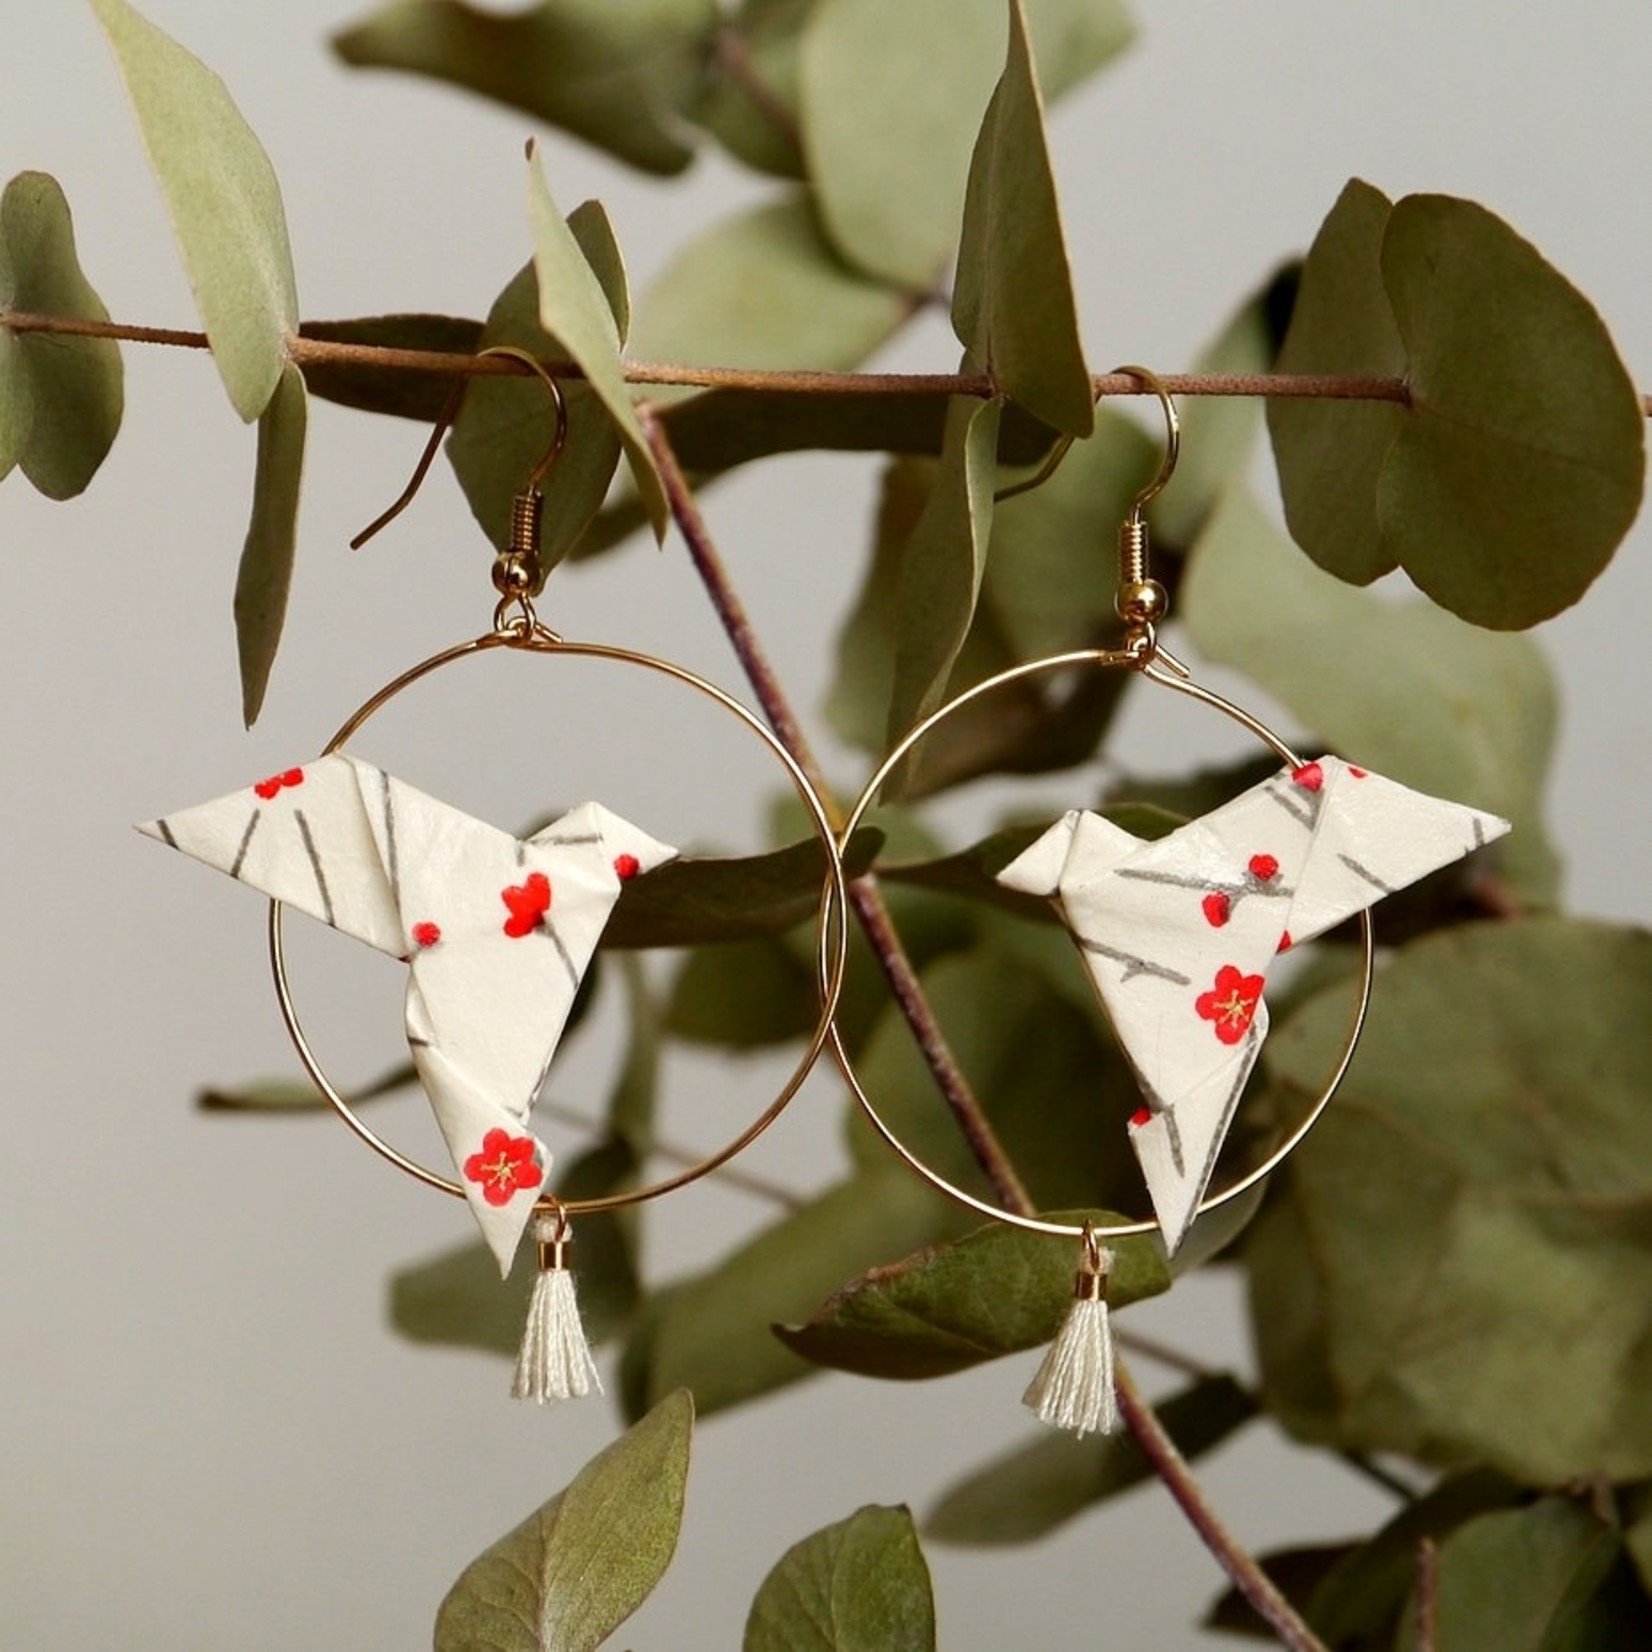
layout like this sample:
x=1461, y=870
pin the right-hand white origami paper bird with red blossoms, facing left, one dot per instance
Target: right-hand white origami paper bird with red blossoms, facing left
x=1179, y=934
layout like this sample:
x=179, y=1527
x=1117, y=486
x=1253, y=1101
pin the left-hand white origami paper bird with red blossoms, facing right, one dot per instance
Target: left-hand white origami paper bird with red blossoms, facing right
x=498, y=934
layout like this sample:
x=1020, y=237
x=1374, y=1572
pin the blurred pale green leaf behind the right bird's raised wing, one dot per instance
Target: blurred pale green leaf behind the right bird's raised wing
x=1408, y=690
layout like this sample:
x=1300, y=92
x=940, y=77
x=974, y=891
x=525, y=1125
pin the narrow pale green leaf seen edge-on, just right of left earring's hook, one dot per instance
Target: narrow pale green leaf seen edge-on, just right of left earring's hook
x=574, y=310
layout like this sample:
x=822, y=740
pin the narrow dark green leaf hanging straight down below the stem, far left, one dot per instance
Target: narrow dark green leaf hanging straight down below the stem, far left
x=265, y=574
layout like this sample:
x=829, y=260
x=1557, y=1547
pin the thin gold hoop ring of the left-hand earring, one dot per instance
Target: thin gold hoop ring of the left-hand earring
x=833, y=936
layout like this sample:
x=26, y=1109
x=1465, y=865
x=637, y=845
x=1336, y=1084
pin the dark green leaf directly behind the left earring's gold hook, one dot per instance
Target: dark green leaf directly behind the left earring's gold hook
x=506, y=425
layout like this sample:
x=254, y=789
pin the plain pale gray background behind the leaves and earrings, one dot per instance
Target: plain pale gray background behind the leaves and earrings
x=207, y=1436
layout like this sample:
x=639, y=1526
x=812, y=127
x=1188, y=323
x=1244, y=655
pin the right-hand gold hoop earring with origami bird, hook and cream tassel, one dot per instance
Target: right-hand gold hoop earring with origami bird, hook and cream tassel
x=1179, y=936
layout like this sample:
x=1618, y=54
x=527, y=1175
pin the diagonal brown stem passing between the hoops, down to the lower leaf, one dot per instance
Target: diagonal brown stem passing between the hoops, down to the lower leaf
x=863, y=895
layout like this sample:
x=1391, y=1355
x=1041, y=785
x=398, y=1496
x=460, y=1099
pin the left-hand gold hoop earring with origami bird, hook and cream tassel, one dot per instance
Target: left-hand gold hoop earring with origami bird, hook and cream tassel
x=496, y=931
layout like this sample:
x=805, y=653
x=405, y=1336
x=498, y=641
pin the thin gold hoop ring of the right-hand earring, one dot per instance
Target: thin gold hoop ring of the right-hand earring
x=1142, y=655
